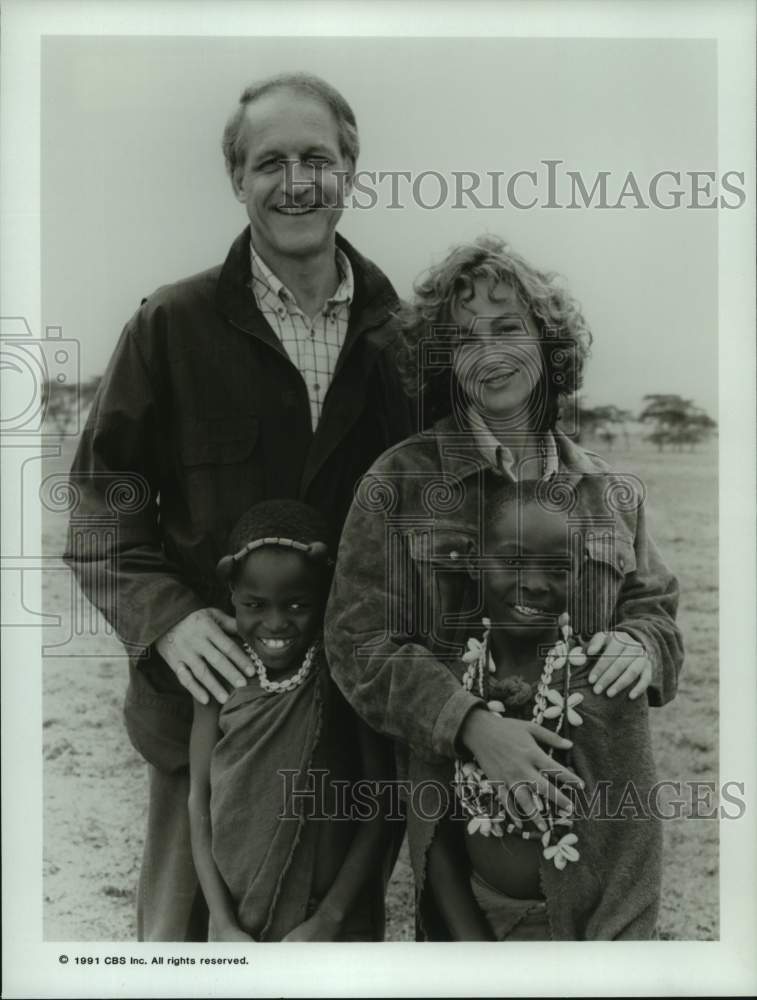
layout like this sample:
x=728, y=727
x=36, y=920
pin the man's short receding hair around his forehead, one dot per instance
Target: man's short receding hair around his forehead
x=234, y=143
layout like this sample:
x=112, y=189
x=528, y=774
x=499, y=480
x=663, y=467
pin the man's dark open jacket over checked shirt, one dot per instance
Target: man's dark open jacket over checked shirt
x=199, y=415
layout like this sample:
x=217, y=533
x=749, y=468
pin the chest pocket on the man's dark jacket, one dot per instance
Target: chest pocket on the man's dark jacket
x=222, y=470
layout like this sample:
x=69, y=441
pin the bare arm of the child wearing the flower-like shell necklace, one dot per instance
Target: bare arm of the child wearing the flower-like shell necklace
x=447, y=878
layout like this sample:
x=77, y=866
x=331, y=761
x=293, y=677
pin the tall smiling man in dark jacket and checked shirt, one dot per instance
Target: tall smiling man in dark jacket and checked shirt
x=269, y=376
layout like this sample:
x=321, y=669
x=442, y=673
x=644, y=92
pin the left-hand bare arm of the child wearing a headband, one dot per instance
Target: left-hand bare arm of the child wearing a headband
x=203, y=739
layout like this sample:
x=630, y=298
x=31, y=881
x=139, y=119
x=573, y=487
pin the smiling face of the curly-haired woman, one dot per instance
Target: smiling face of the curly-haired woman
x=499, y=363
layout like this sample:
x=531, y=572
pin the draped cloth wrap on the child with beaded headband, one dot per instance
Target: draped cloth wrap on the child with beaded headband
x=263, y=734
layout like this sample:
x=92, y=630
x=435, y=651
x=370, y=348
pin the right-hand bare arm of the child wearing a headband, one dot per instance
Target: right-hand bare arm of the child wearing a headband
x=366, y=852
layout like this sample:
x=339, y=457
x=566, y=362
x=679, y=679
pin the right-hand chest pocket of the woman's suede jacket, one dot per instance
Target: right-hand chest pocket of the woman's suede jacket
x=608, y=559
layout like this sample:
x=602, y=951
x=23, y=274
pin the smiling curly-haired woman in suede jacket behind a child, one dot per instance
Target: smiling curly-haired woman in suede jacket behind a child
x=492, y=347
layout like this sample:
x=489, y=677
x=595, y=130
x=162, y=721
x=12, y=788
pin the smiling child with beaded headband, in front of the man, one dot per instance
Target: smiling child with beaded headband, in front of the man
x=270, y=869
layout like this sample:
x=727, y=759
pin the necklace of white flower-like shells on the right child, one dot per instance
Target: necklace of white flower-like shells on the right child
x=477, y=794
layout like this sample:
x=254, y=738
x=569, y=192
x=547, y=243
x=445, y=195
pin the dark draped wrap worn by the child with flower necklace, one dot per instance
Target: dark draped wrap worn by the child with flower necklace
x=613, y=891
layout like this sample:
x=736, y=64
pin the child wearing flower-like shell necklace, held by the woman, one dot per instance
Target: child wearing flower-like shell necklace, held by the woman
x=494, y=870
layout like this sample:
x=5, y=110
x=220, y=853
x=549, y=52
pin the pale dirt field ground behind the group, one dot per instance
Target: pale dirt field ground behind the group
x=94, y=783
